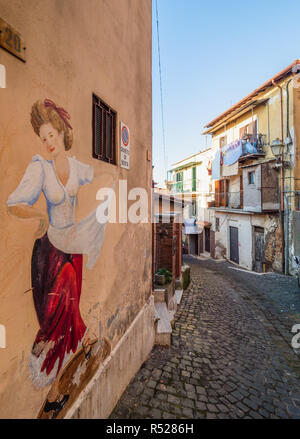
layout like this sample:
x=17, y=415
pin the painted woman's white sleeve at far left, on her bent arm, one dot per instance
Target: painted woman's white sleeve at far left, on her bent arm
x=30, y=186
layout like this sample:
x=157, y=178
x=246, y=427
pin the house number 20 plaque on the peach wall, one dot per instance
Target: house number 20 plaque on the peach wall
x=11, y=40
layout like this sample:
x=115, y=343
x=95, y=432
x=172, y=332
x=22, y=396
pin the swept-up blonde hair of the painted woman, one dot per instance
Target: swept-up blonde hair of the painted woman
x=41, y=114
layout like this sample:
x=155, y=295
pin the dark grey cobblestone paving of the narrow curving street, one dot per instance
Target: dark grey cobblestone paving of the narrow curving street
x=231, y=354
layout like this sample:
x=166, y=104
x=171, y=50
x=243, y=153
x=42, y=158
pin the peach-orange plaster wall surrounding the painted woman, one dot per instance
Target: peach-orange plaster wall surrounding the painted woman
x=74, y=49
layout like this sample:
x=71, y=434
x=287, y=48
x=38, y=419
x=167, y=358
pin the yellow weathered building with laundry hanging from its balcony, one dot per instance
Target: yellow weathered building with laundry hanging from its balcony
x=255, y=211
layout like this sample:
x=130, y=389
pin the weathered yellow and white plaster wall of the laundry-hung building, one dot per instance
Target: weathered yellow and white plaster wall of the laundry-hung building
x=267, y=115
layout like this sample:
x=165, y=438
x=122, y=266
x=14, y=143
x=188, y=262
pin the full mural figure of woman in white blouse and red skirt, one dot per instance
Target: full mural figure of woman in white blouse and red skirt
x=56, y=271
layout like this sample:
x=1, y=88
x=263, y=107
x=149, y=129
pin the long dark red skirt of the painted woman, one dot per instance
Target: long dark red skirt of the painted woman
x=56, y=282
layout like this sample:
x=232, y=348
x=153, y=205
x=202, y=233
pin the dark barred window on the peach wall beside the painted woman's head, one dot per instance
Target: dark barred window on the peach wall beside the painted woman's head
x=104, y=131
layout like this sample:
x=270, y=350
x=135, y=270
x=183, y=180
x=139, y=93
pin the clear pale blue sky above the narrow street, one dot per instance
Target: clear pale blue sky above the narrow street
x=213, y=53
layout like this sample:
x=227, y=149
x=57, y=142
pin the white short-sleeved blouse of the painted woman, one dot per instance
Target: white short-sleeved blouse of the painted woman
x=84, y=237
